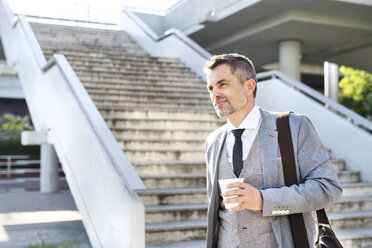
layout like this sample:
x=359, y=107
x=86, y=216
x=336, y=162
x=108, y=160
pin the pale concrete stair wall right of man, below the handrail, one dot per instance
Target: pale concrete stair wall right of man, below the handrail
x=344, y=139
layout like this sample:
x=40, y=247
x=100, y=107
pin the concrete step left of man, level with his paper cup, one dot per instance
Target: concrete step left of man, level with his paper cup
x=174, y=196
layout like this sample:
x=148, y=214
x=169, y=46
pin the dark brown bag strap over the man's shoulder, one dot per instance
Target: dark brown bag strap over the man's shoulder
x=290, y=177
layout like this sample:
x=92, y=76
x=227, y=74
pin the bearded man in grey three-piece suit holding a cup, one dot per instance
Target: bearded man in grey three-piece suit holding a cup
x=264, y=203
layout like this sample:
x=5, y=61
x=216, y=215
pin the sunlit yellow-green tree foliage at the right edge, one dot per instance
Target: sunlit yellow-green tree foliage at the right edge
x=356, y=90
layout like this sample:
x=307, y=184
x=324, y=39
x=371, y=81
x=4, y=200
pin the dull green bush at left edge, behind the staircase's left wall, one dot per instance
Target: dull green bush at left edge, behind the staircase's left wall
x=11, y=126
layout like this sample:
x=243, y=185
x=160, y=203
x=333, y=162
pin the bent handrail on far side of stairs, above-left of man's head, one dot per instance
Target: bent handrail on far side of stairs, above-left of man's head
x=175, y=32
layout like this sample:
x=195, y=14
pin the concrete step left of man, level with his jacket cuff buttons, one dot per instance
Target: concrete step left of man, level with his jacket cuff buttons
x=172, y=213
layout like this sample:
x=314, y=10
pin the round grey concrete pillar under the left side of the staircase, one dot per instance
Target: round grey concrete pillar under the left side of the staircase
x=48, y=169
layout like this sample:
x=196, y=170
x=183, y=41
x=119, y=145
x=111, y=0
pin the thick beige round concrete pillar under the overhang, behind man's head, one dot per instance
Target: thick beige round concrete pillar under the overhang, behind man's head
x=290, y=58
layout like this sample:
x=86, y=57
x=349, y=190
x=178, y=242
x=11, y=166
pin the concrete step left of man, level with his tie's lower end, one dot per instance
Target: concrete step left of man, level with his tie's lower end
x=169, y=166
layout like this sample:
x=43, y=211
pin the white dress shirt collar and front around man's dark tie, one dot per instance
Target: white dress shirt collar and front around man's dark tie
x=251, y=124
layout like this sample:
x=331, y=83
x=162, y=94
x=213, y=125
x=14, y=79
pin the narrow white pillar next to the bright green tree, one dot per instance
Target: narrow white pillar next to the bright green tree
x=331, y=80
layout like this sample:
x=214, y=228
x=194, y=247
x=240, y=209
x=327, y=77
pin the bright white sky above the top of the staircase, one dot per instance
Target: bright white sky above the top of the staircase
x=93, y=10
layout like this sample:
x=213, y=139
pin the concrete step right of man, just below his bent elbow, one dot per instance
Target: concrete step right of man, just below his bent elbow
x=352, y=203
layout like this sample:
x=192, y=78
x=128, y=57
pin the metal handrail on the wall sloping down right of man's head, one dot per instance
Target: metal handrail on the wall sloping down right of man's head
x=336, y=107
